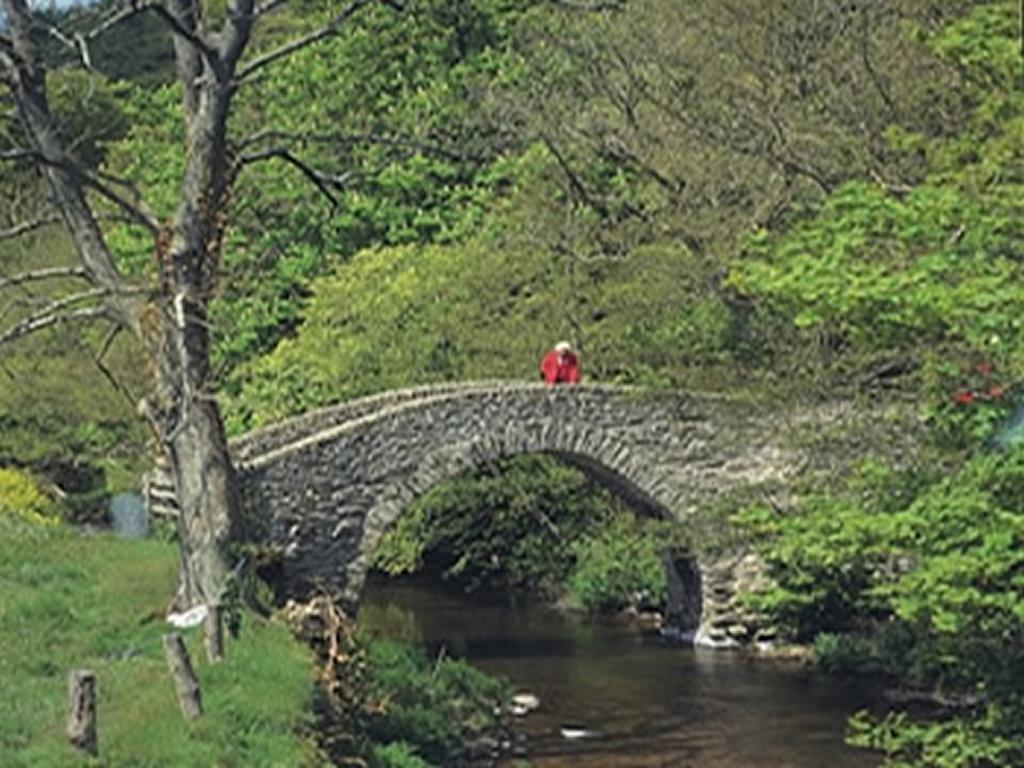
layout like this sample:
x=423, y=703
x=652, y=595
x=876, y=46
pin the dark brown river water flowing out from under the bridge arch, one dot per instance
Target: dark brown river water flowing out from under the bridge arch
x=645, y=703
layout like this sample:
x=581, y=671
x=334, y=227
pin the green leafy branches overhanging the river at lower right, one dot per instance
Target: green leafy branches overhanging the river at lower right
x=925, y=575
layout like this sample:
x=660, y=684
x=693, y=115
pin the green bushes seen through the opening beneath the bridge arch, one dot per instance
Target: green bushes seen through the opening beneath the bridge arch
x=531, y=524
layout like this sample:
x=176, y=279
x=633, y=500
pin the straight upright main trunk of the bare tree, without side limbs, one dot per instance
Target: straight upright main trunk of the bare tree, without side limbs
x=190, y=254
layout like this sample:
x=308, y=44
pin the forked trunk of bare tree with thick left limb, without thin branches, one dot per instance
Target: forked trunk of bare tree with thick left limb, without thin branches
x=175, y=329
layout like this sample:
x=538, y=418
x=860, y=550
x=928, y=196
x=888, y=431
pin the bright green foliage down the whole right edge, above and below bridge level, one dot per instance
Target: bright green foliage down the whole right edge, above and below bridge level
x=919, y=572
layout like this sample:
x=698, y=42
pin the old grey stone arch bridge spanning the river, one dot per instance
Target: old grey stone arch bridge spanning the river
x=324, y=487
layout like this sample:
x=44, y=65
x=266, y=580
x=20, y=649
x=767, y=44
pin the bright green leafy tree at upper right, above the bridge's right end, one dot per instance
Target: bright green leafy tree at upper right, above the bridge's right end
x=929, y=273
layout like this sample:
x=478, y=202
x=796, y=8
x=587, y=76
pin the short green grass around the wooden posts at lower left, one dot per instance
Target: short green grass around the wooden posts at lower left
x=70, y=601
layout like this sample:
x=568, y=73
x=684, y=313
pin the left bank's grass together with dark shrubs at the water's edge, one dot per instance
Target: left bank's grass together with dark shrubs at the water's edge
x=74, y=601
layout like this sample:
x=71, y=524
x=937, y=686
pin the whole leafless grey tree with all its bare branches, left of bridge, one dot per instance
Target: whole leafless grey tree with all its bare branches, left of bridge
x=169, y=318
